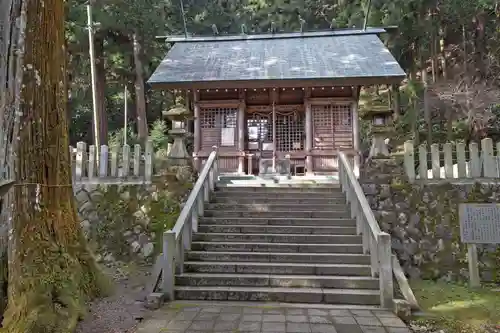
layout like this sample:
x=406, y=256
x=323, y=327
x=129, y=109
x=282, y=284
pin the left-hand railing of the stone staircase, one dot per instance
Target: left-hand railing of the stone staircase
x=178, y=239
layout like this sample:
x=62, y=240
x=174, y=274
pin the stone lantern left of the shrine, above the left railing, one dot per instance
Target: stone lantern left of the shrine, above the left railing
x=178, y=115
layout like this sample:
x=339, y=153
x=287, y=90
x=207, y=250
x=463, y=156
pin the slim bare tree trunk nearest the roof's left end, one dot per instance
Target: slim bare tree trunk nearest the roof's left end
x=140, y=101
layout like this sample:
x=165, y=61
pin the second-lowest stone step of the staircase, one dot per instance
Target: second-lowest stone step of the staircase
x=288, y=281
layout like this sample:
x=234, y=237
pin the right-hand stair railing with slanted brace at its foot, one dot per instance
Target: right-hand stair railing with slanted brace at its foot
x=375, y=242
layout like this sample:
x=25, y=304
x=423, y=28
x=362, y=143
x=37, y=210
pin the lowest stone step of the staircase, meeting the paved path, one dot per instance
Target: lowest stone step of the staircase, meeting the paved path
x=289, y=295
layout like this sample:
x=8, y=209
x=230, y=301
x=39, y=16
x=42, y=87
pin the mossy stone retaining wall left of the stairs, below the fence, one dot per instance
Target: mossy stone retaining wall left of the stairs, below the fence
x=125, y=223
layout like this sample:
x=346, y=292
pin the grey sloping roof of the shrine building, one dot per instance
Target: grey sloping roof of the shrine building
x=353, y=56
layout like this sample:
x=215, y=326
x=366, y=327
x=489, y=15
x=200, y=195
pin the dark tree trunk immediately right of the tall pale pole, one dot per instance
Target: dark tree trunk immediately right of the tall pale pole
x=101, y=90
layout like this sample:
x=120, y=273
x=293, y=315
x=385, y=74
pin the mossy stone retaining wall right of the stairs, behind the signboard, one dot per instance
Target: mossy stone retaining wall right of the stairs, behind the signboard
x=423, y=222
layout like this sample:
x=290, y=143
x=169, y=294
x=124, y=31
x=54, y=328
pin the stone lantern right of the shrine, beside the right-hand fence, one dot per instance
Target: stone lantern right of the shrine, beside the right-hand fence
x=381, y=128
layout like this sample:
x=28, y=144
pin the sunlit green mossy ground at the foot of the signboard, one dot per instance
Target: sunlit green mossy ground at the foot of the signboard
x=456, y=308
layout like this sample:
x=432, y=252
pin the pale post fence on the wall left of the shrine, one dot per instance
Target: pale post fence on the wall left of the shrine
x=119, y=165
